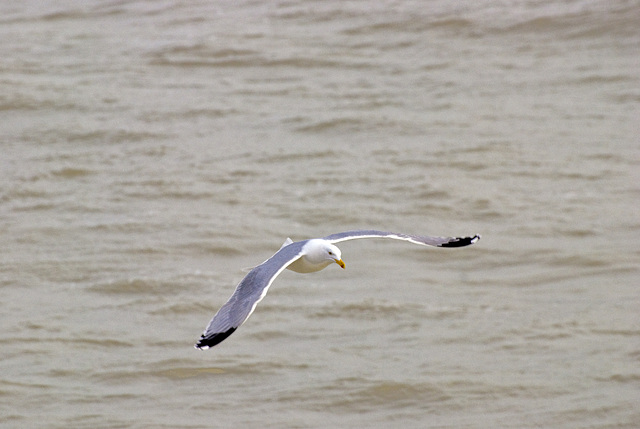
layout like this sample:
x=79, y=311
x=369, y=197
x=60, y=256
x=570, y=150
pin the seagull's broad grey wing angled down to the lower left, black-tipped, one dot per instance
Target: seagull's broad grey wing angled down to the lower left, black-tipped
x=247, y=295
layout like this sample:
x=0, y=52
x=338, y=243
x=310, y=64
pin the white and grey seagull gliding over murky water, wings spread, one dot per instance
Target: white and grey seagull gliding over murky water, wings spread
x=304, y=256
